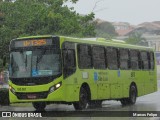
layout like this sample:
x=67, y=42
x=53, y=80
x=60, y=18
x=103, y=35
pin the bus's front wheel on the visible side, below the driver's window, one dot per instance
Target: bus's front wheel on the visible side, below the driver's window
x=83, y=100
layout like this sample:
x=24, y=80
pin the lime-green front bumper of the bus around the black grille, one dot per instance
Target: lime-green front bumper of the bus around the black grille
x=51, y=94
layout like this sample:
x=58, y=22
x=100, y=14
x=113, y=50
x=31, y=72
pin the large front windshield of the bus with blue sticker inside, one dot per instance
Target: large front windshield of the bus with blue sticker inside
x=36, y=63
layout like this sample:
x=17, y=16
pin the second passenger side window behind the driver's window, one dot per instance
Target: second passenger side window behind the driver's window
x=98, y=57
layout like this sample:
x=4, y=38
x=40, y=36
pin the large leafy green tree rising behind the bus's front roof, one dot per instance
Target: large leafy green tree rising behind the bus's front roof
x=33, y=17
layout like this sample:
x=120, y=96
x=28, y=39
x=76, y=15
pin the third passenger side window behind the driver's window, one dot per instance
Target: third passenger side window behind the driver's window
x=112, y=58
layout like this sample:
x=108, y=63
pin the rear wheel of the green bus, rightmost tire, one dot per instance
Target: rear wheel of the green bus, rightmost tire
x=132, y=95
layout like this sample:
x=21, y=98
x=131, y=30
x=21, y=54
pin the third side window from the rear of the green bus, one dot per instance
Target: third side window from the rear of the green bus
x=134, y=60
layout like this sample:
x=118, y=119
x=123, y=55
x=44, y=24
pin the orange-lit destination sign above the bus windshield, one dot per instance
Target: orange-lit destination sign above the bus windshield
x=33, y=42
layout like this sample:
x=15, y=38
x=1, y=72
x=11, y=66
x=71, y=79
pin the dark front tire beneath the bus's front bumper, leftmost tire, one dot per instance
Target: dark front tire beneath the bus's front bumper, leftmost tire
x=39, y=106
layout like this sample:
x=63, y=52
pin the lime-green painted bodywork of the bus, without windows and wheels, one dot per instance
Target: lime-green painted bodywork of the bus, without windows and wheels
x=103, y=84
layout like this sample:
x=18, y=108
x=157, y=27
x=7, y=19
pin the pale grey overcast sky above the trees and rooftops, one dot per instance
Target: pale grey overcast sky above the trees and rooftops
x=132, y=11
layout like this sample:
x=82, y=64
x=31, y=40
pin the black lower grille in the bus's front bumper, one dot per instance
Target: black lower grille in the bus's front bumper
x=36, y=95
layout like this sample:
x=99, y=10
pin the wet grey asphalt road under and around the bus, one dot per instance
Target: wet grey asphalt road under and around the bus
x=150, y=102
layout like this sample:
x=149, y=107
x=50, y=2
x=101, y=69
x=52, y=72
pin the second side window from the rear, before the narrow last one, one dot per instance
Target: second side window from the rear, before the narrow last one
x=144, y=60
